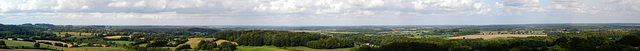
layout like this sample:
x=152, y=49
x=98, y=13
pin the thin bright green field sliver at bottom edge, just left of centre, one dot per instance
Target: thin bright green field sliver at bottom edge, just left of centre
x=302, y=48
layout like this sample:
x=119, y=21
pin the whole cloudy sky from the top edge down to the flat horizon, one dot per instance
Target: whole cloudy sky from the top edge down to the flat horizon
x=317, y=12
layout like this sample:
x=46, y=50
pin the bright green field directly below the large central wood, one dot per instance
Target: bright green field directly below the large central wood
x=260, y=48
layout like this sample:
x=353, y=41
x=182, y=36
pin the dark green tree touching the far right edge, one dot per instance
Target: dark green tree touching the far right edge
x=632, y=40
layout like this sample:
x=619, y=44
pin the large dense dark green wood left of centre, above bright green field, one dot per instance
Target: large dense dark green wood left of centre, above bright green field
x=263, y=37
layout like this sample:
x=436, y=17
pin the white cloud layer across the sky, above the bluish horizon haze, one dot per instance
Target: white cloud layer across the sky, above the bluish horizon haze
x=296, y=11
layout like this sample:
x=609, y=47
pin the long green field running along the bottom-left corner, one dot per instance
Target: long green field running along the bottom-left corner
x=25, y=43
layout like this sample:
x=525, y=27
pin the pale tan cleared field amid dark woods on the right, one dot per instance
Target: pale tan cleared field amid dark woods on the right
x=491, y=36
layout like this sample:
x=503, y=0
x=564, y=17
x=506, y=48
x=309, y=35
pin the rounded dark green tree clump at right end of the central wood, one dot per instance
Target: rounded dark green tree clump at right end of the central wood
x=330, y=43
